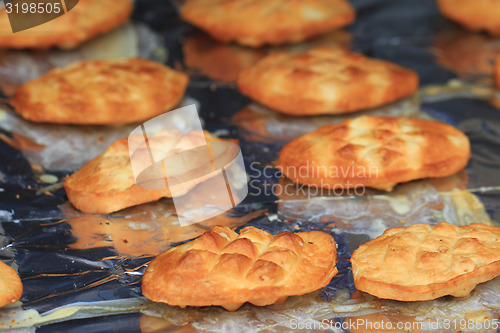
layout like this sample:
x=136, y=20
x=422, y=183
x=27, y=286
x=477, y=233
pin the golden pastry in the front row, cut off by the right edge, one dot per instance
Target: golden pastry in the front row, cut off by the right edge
x=423, y=262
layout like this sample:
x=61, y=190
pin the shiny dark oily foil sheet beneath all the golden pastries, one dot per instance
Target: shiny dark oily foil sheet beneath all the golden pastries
x=83, y=272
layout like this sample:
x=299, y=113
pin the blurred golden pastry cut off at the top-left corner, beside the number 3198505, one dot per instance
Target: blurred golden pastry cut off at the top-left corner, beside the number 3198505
x=87, y=20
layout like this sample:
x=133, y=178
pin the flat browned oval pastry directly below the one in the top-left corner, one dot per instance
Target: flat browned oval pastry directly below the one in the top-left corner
x=101, y=92
